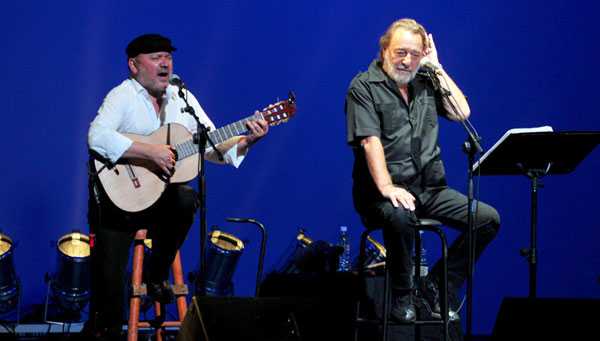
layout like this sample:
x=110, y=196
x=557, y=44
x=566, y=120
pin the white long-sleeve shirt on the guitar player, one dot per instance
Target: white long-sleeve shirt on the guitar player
x=127, y=108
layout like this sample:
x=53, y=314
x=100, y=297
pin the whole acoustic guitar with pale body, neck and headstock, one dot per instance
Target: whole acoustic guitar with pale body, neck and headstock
x=135, y=184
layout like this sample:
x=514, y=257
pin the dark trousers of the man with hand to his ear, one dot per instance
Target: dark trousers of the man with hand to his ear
x=442, y=203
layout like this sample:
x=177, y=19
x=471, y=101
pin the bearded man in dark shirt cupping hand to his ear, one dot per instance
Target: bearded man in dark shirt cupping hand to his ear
x=392, y=127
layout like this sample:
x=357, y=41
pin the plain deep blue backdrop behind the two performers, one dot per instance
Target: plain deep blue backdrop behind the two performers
x=522, y=64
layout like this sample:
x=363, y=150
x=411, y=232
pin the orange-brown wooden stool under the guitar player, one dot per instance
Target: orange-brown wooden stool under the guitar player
x=139, y=290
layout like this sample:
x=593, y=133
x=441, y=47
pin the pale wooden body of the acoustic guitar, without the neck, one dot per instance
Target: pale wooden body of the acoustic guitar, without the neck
x=135, y=184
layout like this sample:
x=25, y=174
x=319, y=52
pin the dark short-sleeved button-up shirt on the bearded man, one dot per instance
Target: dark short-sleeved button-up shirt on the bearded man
x=408, y=131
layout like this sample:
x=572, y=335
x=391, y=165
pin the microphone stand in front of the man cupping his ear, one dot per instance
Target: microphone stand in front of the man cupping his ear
x=471, y=146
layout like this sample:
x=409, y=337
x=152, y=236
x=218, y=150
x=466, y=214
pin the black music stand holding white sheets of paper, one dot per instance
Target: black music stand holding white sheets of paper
x=536, y=154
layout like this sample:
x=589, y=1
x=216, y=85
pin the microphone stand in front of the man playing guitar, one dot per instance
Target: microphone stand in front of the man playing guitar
x=200, y=138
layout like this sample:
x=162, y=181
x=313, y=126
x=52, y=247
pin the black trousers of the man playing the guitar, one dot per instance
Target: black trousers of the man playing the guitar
x=167, y=221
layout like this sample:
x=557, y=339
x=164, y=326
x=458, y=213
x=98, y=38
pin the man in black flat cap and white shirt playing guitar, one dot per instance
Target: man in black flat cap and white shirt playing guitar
x=141, y=104
